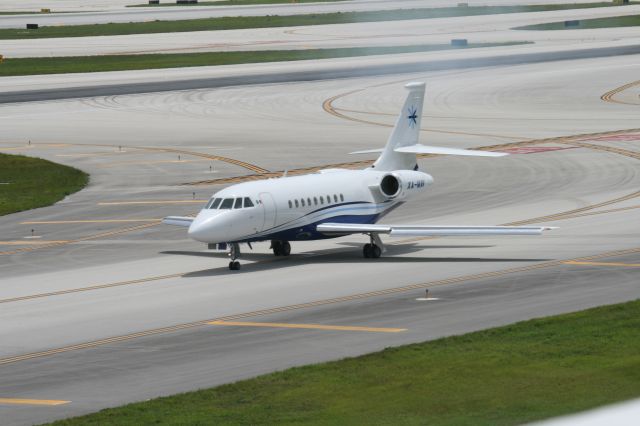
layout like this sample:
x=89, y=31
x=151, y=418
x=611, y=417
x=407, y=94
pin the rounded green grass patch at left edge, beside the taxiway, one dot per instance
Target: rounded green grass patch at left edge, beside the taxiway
x=27, y=183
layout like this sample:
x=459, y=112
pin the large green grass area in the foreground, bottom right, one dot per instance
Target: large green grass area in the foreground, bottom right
x=510, y=375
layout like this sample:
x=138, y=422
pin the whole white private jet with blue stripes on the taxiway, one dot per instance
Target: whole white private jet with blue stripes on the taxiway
x=333, y=202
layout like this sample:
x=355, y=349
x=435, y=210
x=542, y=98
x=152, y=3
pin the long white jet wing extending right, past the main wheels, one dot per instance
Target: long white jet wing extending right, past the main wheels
x=428, y=230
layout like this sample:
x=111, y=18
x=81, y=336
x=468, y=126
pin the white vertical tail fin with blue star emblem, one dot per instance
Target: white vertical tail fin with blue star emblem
x=405, y=132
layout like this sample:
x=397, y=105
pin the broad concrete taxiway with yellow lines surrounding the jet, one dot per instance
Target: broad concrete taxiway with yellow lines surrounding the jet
x=105, y=306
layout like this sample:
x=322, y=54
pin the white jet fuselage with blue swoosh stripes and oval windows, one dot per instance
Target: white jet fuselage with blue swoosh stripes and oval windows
x=290, y=208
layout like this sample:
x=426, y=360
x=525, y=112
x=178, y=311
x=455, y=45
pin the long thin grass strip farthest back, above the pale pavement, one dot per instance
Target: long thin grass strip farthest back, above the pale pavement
x=228, y=23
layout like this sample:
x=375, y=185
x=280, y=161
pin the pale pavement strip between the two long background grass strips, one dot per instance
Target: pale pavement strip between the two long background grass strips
x=476, y=29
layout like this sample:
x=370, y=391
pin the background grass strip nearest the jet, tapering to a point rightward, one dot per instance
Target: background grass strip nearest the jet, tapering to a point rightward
x=57, y=65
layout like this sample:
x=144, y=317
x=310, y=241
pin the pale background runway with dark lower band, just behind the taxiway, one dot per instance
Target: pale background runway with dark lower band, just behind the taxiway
x=71, y=86
